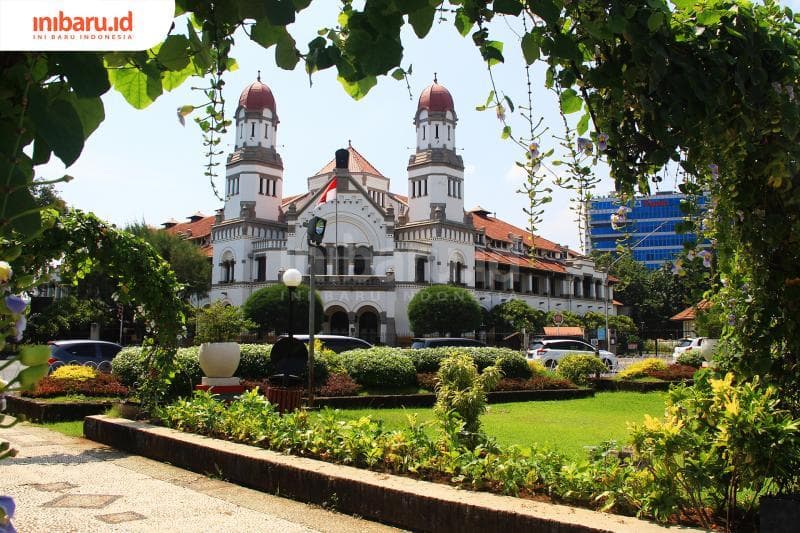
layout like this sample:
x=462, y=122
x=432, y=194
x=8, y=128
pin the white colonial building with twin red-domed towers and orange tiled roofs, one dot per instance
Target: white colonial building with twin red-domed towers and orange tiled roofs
x=380, y=248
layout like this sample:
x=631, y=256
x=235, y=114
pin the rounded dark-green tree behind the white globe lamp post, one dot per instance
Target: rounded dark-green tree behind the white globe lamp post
x=269, y=309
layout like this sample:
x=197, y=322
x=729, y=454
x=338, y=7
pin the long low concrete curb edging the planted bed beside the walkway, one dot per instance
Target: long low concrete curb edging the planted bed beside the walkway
x=396, y=500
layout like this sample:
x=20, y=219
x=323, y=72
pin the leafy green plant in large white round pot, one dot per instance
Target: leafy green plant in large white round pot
x=219, y=326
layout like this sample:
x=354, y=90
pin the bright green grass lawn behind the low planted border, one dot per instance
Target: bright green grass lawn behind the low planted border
x=565, y=425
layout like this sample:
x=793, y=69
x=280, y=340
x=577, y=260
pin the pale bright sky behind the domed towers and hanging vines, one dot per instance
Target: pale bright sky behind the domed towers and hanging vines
x=143, y=165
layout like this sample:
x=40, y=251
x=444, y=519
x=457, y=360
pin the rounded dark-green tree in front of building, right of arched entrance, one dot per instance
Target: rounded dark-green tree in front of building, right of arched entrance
x=445, y=310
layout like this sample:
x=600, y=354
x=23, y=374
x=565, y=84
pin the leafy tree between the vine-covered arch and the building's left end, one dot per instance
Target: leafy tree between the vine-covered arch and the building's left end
x=191, y=266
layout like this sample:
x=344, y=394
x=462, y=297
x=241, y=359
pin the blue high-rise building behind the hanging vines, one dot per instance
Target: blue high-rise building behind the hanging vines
x=650, y=222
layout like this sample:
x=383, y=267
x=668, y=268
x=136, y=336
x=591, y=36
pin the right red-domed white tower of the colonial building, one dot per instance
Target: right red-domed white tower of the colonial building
x=435, y=171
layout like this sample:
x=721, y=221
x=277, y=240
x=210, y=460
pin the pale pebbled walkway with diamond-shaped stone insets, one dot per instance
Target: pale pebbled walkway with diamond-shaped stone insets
x=62, y=483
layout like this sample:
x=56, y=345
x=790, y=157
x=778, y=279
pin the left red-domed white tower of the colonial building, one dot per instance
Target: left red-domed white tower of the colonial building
x=254, y=170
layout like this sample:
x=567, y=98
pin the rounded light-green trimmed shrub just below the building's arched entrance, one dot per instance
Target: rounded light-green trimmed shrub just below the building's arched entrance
x=380, y=367
